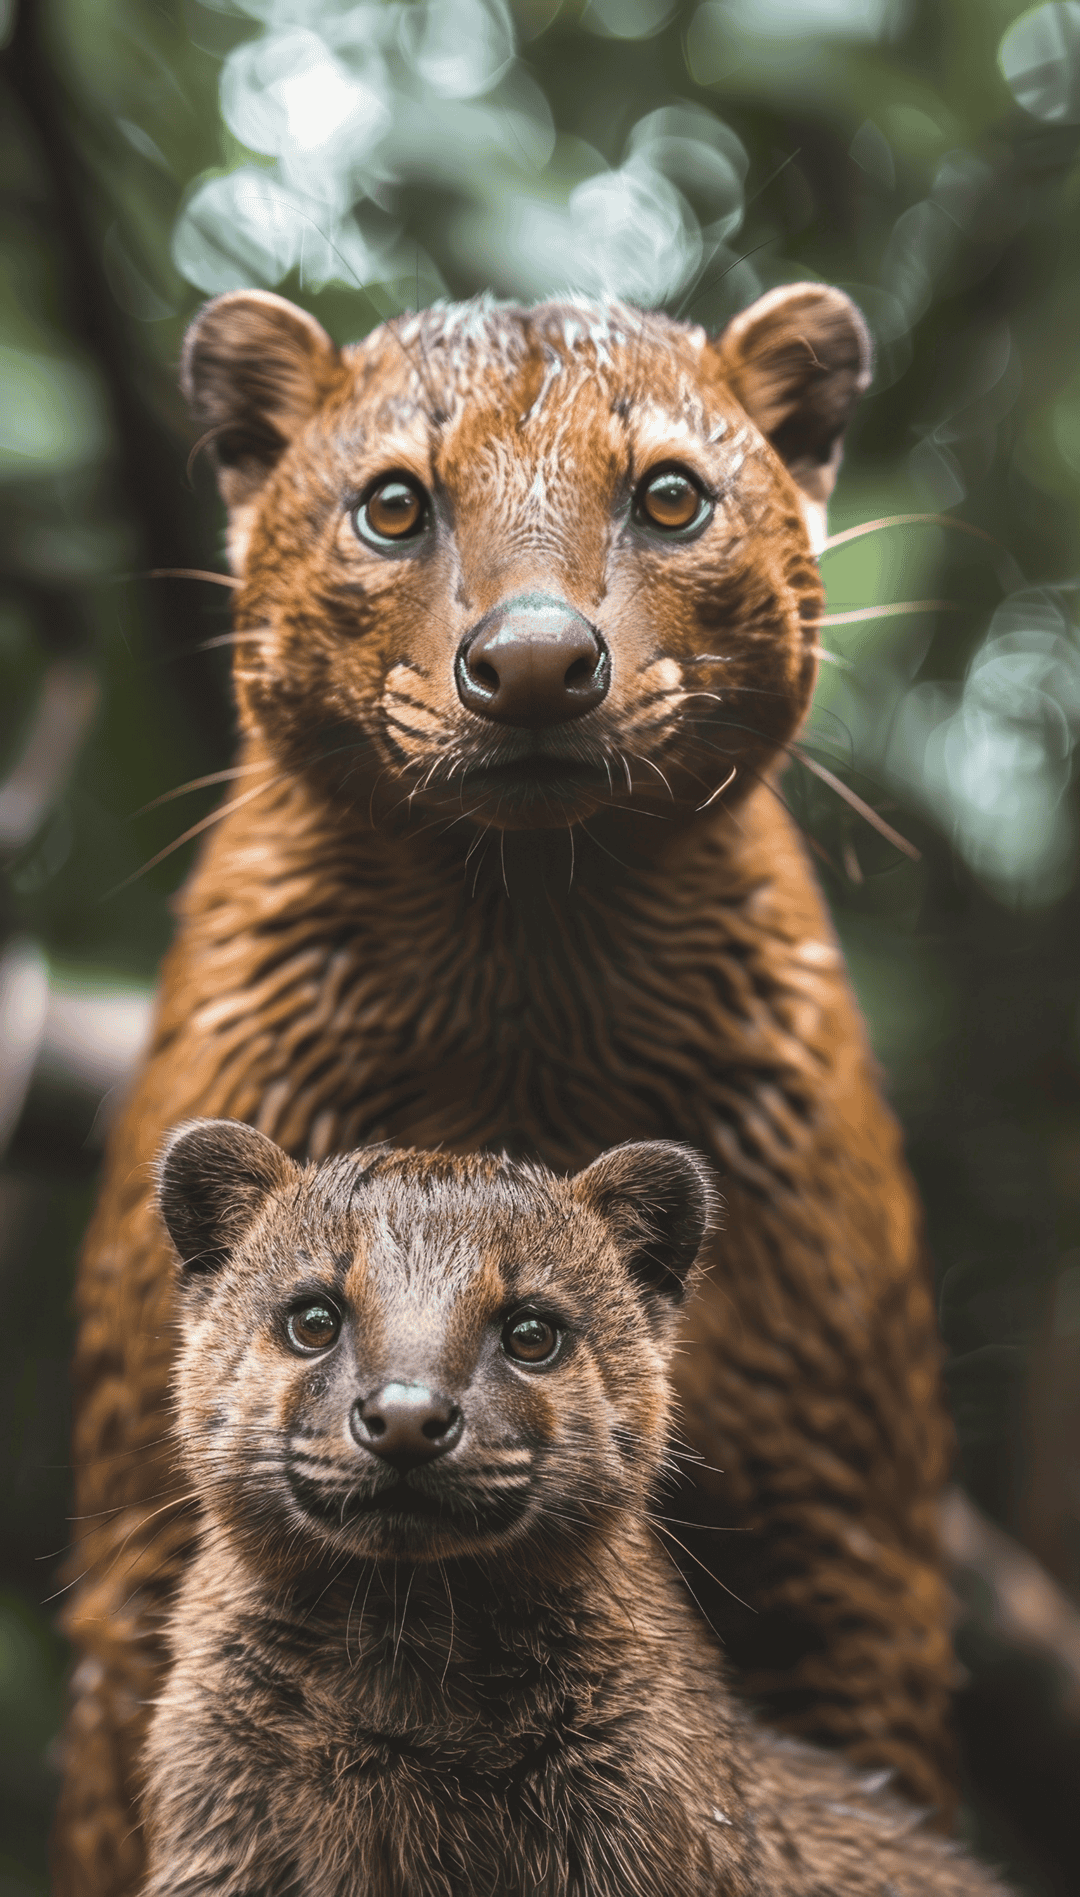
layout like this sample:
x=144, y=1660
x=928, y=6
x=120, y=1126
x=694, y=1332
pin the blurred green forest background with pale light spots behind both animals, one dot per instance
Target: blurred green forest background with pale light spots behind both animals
x=365, y=158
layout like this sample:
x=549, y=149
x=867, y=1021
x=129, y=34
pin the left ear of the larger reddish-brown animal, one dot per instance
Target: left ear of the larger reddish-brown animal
x=255, y=369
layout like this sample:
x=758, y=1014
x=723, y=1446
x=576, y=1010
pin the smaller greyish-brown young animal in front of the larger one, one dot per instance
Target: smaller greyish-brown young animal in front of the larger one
x=430, y=1644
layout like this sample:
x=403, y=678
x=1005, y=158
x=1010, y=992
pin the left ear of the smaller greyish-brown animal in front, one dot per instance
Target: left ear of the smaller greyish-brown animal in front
x=214, y=1175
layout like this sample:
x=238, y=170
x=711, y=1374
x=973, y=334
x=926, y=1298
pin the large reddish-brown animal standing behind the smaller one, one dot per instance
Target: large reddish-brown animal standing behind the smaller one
x=527, y=617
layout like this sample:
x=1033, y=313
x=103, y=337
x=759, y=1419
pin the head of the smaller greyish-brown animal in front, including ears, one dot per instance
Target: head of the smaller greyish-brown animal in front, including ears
x=413, y=1355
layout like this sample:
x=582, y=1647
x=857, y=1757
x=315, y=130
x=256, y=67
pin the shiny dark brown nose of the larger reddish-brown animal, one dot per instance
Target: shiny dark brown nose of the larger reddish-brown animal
x=534, y=661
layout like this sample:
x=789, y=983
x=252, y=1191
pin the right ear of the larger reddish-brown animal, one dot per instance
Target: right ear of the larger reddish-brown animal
x=798, y=361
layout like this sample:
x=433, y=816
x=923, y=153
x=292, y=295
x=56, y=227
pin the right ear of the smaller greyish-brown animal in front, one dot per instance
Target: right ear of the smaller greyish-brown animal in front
x=661, y=1202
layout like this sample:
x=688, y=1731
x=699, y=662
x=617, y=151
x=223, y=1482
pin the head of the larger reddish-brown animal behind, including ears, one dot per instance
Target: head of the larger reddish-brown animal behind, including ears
x=525, y=564
